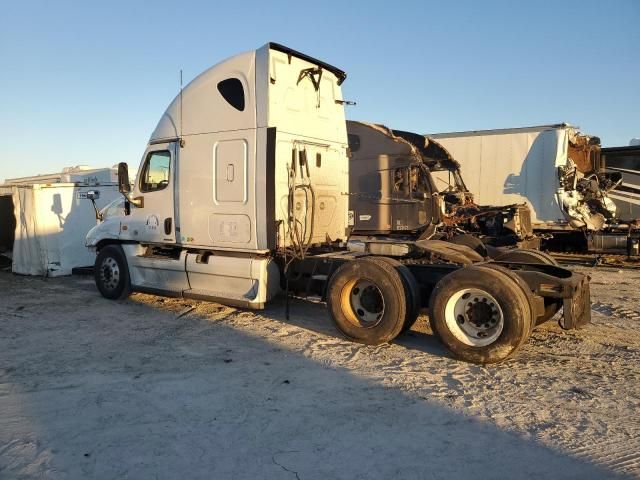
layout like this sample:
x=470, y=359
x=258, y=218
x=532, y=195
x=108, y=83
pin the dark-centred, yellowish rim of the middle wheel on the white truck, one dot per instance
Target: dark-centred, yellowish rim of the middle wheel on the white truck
x=362, y=303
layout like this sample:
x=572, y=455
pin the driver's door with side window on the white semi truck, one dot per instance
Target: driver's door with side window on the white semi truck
x=154, y=191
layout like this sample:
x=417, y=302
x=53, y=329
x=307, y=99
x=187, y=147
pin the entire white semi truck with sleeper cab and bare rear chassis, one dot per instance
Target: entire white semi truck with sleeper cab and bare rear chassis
x=243, y=192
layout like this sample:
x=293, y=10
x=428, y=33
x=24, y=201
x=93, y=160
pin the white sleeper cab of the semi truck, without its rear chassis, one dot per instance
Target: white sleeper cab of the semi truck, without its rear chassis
x=248, y=158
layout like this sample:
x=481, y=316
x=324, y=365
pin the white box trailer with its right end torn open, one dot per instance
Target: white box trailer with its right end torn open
x=554, y=169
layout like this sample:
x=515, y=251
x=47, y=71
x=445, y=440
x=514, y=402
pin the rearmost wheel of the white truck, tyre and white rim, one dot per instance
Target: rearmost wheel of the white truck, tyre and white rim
x=480, y=314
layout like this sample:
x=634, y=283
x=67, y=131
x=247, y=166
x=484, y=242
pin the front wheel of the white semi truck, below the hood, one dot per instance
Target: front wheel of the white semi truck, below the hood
x=111, y=273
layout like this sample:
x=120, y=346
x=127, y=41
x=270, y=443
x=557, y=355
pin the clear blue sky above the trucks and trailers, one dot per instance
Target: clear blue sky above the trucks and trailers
x=85, y=82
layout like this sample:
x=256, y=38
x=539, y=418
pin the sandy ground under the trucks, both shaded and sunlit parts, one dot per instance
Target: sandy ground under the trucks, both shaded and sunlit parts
x=154, y=388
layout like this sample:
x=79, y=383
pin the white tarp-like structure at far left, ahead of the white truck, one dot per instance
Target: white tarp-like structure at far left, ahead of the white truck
x=52, y=219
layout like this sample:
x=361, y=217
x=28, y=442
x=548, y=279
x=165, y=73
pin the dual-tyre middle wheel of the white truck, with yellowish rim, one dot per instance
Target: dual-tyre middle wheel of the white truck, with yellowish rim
x=367, y=301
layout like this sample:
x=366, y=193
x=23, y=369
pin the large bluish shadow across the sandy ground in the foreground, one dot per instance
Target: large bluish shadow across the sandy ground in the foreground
x=92, y=388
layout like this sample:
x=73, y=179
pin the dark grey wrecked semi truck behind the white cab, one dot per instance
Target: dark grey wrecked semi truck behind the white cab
x=394, y=191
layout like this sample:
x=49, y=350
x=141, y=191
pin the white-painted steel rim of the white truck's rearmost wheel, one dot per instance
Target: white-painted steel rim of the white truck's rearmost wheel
x=474, y=317
